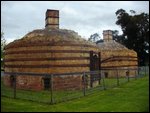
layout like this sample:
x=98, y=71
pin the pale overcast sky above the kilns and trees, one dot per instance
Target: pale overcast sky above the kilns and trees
x=85, y=17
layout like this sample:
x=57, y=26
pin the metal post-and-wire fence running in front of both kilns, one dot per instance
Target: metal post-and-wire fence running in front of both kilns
x=63, y=87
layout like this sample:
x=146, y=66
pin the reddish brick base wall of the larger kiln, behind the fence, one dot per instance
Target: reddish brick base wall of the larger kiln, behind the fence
x=37, y=82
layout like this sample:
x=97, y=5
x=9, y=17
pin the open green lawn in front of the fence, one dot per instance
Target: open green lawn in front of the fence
x=130, y=97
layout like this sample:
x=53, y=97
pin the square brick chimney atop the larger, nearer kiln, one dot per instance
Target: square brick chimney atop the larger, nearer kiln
x=52, y=19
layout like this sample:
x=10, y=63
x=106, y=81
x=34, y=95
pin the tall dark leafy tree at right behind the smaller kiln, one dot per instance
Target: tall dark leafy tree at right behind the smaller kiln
x=135, y=29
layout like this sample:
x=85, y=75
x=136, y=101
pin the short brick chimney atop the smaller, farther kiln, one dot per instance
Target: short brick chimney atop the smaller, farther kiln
x=107, y=35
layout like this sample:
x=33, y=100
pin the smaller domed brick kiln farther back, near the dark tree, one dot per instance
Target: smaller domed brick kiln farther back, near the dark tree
x=115, y=55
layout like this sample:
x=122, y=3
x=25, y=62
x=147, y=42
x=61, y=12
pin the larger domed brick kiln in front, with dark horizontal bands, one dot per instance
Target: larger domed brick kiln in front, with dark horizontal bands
x=50, y=50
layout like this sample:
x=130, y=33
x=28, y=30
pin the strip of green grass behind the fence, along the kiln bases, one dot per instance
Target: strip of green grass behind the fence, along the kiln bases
x=58, y=96
